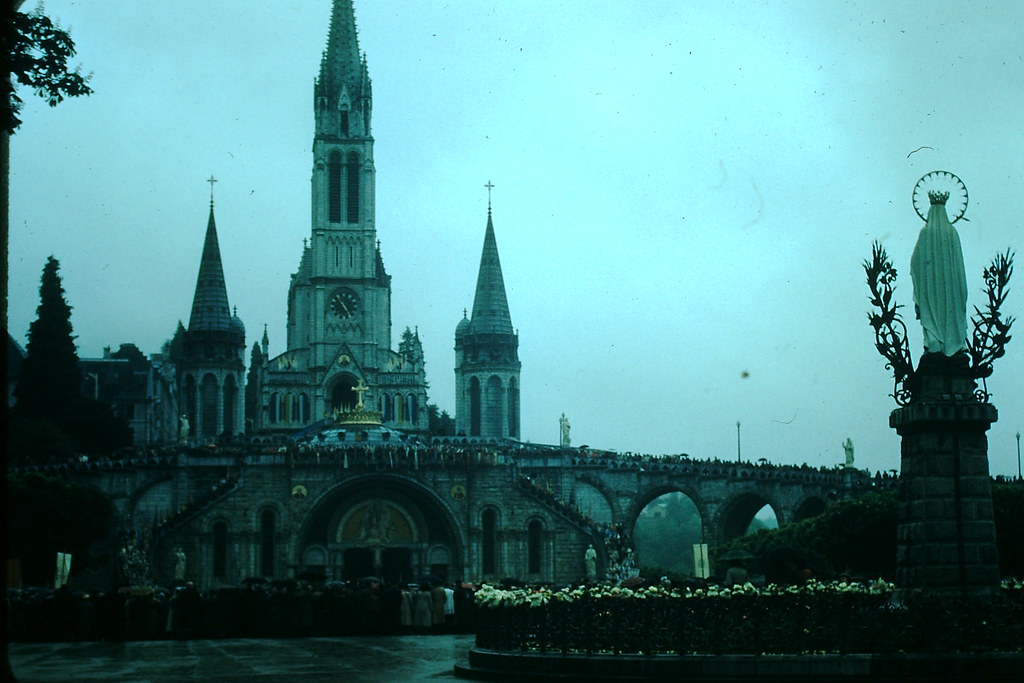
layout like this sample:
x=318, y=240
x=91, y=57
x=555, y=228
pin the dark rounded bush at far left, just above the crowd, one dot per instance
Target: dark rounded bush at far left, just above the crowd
x=47, y=516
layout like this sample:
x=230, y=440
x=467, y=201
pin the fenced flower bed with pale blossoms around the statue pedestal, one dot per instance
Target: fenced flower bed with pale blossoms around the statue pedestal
x=835, y=618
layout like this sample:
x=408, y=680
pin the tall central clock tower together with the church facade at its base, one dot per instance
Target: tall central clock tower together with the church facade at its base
x=339, y=301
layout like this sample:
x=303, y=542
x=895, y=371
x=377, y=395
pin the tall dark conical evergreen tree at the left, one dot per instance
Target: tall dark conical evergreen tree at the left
x=51, y=381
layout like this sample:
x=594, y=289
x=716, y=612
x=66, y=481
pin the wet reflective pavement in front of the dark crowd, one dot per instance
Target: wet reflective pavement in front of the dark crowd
x=356, y=660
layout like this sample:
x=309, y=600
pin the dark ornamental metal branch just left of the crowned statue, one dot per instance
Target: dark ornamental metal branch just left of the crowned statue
x=890, y=331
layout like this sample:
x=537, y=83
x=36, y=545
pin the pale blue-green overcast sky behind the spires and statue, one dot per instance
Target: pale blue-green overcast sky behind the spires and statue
x=685, y=194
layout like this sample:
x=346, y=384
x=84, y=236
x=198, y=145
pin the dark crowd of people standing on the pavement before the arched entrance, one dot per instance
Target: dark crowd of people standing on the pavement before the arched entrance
x=259, y=609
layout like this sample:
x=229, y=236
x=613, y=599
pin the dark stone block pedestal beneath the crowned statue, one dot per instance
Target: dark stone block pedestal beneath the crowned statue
x=947, y=534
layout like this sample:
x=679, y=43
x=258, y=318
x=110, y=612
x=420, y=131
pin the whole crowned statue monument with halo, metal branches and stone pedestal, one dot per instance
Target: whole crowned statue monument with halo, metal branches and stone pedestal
x=947, y=535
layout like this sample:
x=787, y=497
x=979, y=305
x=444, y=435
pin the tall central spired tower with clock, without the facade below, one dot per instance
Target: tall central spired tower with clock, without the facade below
x=343, y=293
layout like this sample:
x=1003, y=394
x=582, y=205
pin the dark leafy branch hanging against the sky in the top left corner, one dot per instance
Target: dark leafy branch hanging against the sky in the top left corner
x=37, y=54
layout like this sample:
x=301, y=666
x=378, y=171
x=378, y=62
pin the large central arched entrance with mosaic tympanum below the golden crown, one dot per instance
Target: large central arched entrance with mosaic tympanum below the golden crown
x=386, y=527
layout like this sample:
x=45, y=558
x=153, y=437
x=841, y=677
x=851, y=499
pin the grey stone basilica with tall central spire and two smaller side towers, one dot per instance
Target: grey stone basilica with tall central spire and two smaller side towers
x=339, y=354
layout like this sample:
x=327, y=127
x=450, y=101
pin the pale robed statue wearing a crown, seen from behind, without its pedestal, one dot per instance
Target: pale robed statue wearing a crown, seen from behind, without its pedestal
x=941, y=281
